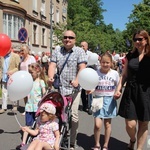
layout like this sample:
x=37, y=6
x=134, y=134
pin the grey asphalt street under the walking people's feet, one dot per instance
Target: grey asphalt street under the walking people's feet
x=10, y=134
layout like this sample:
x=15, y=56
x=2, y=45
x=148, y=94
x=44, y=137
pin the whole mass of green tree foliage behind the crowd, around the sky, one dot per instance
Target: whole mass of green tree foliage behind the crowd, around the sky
x=85, y=18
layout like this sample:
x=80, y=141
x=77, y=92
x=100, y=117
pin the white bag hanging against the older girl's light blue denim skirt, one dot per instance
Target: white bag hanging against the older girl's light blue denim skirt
x=97, y=104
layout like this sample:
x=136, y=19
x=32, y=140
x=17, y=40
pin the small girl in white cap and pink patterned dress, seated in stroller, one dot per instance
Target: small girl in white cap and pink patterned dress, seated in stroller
x=47, y=129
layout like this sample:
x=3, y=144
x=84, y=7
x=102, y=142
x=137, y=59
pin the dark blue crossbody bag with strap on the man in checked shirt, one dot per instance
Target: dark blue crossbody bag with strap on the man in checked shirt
x=57, y=82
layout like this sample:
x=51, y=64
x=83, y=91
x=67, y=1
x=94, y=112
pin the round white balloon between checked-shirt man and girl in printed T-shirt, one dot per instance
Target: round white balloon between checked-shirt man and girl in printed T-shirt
x=88, y=79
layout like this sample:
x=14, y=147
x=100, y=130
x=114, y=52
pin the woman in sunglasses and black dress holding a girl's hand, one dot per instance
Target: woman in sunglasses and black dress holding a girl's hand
x=135, y=102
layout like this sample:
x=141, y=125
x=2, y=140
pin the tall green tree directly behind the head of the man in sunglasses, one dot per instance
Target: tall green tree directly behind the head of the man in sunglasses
x=84, y=18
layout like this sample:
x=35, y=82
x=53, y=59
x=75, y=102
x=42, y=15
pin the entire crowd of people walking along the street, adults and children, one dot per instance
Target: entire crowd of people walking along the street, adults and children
x=114, y=70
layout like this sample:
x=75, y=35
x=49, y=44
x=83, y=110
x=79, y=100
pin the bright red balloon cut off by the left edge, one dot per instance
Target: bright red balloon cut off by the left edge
x=5, y=44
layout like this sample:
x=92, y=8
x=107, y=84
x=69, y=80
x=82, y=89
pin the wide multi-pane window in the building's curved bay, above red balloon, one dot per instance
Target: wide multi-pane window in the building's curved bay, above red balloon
x=12, y=24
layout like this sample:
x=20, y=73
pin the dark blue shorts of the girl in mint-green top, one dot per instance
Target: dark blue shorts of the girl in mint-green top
x=30, y=118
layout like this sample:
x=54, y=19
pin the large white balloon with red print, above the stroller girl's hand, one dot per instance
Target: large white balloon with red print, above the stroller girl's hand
x=19, y=85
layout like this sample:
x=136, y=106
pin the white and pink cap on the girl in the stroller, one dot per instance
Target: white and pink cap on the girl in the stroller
x=49, y=108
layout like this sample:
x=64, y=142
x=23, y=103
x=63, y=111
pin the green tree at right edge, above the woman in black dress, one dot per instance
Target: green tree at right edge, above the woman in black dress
x=138, y=19
